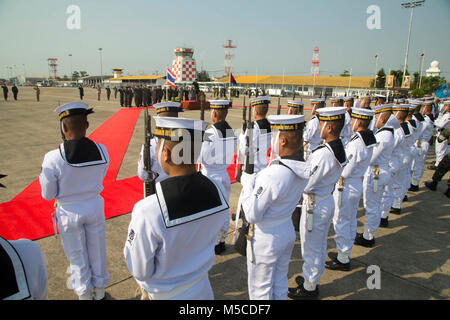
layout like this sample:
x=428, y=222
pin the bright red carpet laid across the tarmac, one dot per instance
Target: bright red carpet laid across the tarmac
x=28, y=215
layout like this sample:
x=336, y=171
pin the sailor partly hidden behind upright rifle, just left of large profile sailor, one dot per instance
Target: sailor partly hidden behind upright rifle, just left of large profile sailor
x=261, y=133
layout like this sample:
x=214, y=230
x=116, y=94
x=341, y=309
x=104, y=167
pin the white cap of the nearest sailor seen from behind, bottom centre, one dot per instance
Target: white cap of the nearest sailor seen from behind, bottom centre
x=177, y=129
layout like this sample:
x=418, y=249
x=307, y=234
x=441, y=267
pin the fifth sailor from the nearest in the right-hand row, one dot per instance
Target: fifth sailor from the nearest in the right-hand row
x=402, y=179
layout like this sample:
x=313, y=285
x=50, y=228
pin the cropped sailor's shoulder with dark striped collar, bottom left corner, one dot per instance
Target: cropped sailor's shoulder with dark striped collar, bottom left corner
x=23, y=270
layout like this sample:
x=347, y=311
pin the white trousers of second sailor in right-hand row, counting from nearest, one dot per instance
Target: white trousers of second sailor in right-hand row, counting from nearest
x=314, y=243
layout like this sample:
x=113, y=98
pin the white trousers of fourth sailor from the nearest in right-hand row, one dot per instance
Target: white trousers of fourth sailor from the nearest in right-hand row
x=372, y=200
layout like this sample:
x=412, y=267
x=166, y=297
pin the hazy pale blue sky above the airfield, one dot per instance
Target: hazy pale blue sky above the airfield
x=271, y=36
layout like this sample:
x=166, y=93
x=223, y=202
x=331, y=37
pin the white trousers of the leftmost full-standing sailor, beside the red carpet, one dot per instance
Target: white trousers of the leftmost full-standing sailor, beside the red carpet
x=82, y=230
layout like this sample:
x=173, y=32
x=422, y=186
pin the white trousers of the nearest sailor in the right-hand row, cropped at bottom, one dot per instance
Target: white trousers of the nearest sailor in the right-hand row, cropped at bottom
x=268, y=275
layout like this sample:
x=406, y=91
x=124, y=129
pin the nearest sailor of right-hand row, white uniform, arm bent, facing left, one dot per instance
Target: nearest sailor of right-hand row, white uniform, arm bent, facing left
x=268, y=201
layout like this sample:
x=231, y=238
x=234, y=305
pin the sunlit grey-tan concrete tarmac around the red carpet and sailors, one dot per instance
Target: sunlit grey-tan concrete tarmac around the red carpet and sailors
x=412, y=255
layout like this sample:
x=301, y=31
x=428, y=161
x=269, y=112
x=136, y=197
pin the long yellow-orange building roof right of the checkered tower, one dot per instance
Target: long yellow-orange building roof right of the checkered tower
x=321, y=81
